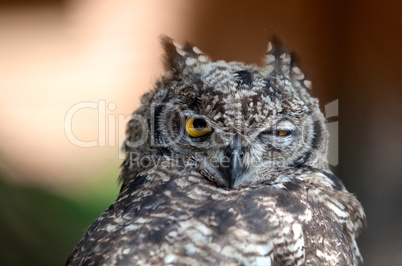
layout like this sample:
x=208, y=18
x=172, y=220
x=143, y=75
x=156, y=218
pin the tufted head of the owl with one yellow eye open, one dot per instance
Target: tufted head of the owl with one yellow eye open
x=239, y=124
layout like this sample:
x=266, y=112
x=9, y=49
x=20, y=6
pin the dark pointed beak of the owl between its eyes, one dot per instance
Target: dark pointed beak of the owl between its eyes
x=235, y=168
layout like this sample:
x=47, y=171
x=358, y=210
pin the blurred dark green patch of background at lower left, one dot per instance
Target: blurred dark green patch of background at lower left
x=39, y=227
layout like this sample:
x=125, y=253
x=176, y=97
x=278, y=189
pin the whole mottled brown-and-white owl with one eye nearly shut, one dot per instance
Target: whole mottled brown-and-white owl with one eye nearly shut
x=226, y=164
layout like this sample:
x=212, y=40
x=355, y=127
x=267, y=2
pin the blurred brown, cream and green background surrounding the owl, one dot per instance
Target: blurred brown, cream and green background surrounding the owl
x=55, y=54
